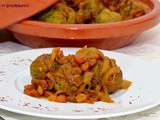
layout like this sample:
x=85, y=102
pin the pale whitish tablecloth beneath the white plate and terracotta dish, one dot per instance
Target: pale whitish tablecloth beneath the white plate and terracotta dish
x=146, y=47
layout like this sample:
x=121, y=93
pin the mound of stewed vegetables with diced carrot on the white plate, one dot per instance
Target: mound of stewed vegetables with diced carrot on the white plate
x=86, y=77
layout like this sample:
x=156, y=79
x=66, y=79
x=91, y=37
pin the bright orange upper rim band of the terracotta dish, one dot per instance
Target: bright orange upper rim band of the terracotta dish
x=62, y=30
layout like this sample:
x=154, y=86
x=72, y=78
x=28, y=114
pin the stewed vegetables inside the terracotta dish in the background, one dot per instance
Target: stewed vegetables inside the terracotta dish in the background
x=94, y=11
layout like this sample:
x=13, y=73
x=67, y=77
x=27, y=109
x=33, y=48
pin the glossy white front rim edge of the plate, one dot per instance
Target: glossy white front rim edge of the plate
x=77, y=117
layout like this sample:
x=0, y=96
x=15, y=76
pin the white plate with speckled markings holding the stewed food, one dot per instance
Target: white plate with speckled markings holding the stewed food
x=142, y=95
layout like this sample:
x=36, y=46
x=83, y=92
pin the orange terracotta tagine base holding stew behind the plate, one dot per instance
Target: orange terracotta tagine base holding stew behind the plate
x=106, y=36
